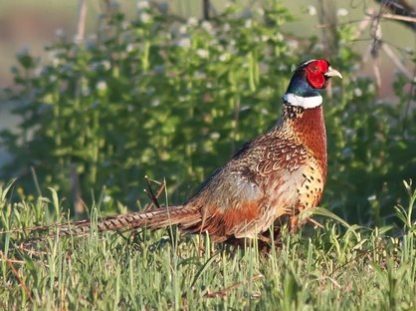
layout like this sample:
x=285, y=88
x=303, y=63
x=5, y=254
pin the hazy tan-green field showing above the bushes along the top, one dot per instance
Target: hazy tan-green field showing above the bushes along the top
x=28, y=24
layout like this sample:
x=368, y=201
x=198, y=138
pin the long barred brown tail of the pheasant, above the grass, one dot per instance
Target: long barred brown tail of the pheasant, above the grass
x=153, y=219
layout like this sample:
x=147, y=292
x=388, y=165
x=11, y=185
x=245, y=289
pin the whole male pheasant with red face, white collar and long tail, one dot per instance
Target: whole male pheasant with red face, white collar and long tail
x=273, y=177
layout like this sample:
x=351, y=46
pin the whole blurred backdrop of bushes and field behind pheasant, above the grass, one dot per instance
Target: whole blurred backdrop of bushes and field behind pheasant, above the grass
x=74, y=67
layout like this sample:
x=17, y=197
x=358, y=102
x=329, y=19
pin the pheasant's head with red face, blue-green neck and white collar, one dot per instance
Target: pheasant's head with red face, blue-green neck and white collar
x=308, y=79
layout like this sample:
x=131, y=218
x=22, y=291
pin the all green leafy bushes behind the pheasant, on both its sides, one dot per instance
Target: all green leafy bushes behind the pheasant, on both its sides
x=173, y=99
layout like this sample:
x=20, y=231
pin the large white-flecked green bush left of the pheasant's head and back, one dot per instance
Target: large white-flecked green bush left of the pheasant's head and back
x=151, y=96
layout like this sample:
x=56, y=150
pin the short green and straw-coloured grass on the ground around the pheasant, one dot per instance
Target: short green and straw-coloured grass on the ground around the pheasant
x=329, y=268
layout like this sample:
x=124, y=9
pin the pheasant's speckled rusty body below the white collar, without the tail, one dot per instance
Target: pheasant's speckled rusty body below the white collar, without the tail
x=280, y=173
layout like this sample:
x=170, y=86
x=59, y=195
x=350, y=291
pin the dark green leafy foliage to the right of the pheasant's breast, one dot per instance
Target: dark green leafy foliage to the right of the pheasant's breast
x=372, y=148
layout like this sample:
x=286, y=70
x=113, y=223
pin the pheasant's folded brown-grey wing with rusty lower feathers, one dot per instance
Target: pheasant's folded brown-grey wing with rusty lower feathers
x=237, y=199
